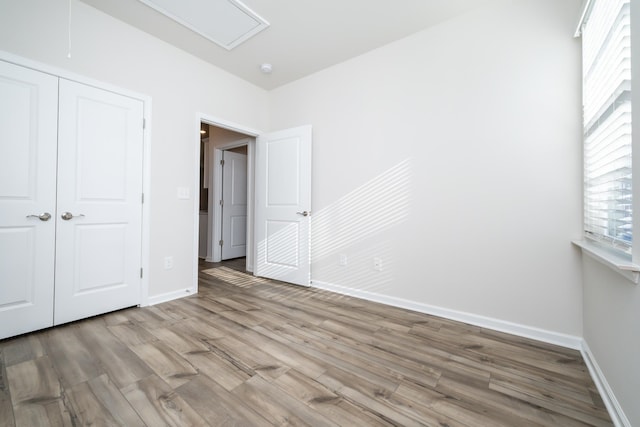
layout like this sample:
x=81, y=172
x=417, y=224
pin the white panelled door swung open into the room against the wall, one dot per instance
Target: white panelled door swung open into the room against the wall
x=283, y=205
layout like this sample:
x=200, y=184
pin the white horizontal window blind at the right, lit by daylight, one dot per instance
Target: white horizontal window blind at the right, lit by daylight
x=607, y=123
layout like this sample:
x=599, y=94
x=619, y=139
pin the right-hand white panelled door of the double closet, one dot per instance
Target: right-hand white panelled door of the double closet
x=99, y=222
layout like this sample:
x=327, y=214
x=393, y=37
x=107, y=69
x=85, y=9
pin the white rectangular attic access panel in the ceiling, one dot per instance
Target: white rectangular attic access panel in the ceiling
x=227, y=23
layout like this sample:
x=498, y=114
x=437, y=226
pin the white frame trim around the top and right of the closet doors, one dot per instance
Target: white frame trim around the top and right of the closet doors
x=146, y=155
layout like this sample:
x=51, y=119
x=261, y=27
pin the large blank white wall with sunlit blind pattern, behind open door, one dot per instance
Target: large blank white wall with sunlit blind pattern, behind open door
x=454, y=155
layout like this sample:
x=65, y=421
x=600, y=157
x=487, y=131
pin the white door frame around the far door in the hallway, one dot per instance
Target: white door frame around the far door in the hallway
x=214, y=252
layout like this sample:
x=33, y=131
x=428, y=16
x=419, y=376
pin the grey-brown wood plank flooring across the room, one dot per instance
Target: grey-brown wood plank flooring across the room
x=253, y=352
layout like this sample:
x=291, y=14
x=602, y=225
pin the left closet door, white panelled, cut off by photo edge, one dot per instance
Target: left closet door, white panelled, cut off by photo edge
x=28, y=124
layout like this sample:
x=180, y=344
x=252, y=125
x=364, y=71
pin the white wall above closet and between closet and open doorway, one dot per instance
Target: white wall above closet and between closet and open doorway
x=180, y=86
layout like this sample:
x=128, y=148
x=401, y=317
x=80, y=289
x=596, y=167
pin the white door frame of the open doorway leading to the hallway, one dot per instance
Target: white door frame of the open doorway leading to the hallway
x=216, y=154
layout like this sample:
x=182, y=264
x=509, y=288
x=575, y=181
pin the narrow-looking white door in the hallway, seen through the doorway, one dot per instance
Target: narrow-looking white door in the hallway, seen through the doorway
x=234, y=208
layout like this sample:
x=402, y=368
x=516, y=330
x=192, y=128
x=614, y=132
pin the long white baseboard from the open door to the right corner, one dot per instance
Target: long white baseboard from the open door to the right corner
x=543, y=335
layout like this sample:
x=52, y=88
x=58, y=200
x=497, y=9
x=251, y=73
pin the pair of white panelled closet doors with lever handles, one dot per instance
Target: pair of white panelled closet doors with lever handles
x=70, y=200
